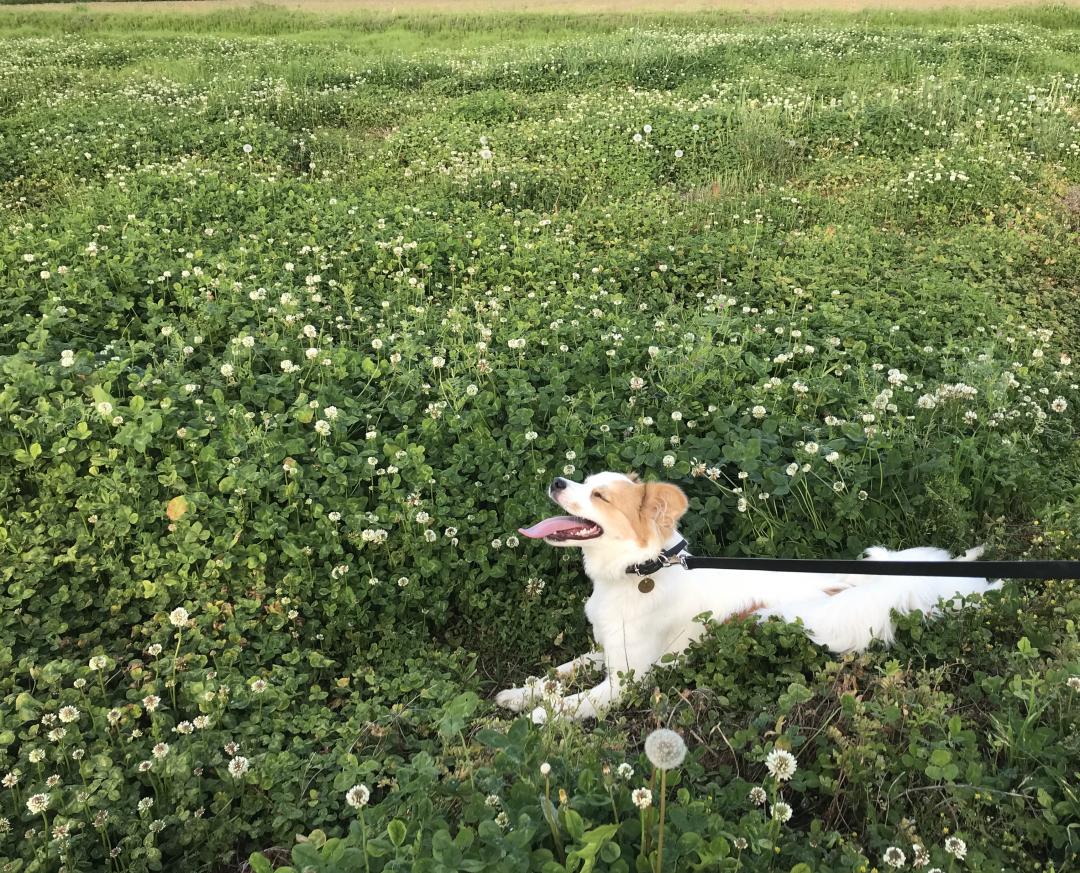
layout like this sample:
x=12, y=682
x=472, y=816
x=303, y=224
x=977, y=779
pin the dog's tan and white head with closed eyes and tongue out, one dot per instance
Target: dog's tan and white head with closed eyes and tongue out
x=614, y=514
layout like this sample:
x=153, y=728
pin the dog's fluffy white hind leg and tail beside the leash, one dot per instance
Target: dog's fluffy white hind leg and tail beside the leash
x=861, y=613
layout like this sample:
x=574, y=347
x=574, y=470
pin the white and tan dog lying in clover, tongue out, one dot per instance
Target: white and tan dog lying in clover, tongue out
x=619, y=521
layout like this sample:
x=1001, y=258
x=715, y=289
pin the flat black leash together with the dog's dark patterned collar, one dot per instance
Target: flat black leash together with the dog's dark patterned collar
x=982, y=570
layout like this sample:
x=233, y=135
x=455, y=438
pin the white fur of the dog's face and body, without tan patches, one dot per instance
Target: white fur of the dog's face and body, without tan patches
x=634, y=630
